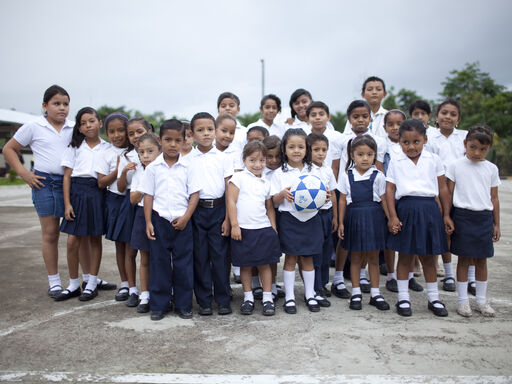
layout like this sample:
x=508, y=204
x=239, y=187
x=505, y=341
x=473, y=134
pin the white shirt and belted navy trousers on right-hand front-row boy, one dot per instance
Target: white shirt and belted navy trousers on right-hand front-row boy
x=210, y=247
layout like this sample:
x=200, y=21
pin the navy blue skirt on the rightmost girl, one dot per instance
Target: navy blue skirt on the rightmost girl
x=473, y=233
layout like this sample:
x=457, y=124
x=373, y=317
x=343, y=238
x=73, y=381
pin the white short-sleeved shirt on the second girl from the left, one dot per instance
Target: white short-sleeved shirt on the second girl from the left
x=82, y=160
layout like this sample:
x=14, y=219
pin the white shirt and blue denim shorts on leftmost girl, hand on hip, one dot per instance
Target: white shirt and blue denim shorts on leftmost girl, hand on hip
x=47, y=145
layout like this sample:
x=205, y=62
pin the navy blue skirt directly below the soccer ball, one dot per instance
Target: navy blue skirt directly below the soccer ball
x=300, y=238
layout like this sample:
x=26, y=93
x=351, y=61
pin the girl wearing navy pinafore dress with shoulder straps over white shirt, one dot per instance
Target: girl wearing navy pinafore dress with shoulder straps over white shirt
x=362, y=220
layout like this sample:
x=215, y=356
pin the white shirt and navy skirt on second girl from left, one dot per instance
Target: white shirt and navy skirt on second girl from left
x=86, y=198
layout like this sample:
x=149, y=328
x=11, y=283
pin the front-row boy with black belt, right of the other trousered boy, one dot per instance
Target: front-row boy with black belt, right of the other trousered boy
x=210, y=220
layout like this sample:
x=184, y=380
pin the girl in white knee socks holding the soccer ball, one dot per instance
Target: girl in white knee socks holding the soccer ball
x=300, y=233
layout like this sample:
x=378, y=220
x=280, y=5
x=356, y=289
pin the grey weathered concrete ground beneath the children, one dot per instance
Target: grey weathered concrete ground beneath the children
x=104, y=341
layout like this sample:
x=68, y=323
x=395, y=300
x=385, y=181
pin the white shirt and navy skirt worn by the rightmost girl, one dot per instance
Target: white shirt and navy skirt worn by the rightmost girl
x=472, y=211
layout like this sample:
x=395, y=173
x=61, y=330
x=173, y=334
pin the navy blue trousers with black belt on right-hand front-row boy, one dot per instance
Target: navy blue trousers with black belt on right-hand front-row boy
x=210, y=256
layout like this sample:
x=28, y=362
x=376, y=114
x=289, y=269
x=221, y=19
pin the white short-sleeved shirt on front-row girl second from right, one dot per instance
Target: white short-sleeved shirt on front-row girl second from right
x=415, y=179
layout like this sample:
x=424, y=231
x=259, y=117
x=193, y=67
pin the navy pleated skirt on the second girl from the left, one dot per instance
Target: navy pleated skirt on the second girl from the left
x=87, y=201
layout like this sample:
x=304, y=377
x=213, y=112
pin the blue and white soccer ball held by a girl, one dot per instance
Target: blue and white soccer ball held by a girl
x=309, y=193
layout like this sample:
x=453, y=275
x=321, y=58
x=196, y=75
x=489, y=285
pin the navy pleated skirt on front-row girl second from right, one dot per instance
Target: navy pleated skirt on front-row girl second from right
x=423, y=231
